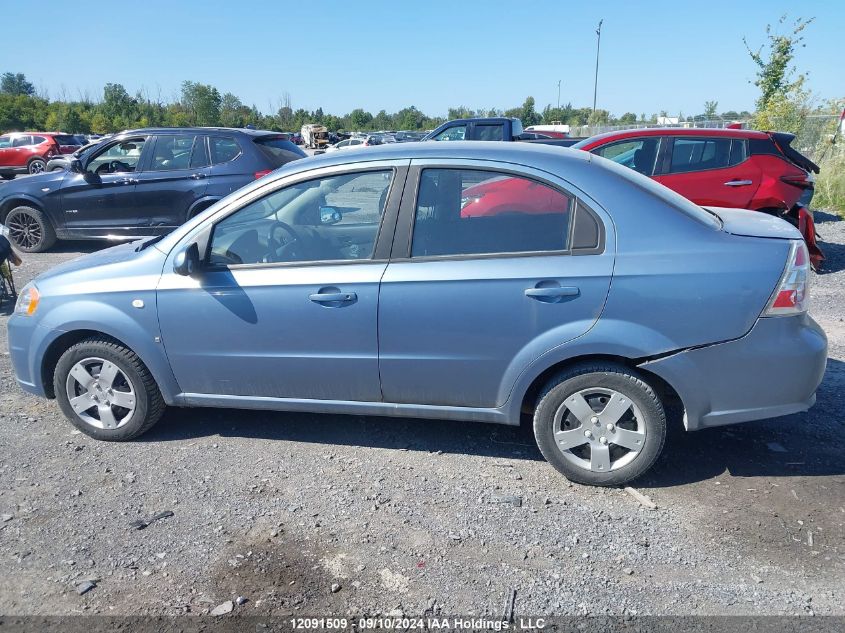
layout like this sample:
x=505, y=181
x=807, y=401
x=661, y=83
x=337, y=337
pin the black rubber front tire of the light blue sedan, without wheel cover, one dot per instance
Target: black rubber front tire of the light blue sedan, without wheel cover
x=149, y=405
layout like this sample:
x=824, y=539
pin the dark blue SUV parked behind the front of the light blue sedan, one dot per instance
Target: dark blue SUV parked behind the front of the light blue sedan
x=138, y=183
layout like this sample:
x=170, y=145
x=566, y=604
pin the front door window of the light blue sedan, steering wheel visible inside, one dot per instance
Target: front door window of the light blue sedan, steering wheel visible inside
x=327, y=219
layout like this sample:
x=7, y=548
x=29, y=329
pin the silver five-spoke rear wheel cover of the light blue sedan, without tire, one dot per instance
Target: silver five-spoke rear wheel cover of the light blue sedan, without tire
x=599, y=429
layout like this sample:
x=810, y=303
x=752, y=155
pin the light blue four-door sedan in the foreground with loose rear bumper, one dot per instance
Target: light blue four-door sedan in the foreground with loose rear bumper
x=356, y=282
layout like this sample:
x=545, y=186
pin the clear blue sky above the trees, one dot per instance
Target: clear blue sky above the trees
x=388, y=54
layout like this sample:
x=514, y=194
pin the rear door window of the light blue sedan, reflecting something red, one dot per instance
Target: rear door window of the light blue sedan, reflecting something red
x=474, y=212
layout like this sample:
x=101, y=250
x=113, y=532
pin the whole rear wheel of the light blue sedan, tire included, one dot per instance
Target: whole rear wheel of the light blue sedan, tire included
x=600, y=424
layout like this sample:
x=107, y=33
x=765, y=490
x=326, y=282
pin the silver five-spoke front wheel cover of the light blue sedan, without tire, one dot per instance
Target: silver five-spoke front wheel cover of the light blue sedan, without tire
x=100, y=393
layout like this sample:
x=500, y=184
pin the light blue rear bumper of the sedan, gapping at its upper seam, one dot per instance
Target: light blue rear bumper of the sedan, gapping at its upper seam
x=773, y=370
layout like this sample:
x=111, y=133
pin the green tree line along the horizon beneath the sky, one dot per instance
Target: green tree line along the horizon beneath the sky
x=198, y=104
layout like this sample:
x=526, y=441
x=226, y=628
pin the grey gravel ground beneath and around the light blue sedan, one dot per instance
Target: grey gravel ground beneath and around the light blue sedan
x=327, y=514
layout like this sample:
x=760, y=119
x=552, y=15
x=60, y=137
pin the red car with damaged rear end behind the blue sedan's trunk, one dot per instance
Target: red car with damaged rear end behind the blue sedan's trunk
x=743, y=169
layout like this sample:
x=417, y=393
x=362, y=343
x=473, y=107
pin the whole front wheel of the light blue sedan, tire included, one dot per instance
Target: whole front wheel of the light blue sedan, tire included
x=106, y=391
